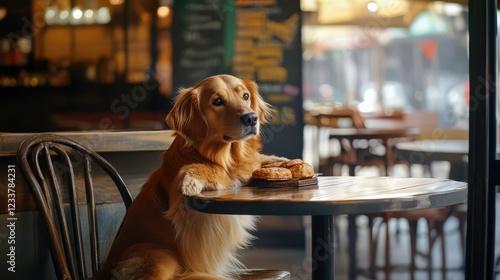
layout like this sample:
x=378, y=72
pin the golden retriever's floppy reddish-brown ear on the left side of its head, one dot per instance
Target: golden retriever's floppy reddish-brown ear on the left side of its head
x=186, y=118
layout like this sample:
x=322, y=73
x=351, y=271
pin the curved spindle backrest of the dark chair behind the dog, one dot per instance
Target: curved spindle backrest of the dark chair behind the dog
x=45, y=160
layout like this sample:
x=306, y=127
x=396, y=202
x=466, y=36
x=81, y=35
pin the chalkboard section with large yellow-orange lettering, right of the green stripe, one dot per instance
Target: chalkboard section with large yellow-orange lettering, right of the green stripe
x=267, y=48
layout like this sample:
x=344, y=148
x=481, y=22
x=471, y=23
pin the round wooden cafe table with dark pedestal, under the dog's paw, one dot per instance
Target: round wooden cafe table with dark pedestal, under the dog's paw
x=331, y=196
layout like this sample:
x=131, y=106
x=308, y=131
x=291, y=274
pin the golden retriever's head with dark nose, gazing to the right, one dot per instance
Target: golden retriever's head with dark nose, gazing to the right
x=220, y=109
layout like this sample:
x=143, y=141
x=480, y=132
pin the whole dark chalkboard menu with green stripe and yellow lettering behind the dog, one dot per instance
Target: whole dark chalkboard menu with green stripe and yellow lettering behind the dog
x=258, y=40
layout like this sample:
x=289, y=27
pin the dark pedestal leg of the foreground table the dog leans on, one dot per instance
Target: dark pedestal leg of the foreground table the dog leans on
x=323, y=263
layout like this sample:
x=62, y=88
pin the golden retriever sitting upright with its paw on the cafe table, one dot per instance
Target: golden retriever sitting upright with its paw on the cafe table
x=217, y=146
